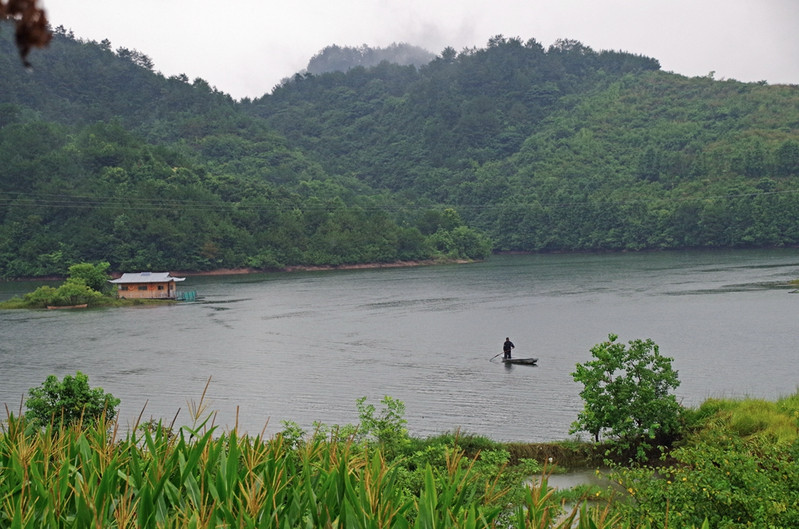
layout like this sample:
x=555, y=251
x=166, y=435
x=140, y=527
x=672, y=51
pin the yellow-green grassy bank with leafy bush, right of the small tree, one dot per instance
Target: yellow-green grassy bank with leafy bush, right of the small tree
x=739, y=468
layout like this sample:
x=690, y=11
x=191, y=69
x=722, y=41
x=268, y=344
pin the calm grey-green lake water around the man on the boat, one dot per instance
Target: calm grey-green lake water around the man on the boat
x=305, y=346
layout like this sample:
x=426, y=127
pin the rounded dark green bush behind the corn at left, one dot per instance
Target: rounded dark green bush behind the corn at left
x=68, y=402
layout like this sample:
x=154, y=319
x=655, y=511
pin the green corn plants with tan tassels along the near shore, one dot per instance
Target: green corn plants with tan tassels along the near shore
x=85, y=476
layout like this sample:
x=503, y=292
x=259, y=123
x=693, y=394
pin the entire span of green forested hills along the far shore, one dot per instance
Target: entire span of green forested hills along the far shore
x=509, y=147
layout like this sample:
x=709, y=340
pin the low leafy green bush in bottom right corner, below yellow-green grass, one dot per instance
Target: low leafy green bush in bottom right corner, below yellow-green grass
x=733, y=482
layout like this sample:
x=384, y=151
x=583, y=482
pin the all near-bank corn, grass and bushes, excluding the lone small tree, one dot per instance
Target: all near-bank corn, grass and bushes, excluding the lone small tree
x=733, y=465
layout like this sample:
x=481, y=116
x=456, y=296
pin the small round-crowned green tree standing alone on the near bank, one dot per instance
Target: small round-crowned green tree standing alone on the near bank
x=627, y=393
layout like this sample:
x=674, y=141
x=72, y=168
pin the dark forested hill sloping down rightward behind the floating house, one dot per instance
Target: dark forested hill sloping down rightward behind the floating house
x=104, y=159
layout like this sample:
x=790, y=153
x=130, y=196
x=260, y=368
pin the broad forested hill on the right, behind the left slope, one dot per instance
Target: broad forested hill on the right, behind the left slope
x=561, y=149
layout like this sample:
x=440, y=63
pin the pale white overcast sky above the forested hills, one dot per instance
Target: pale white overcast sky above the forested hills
x=245, y=47
